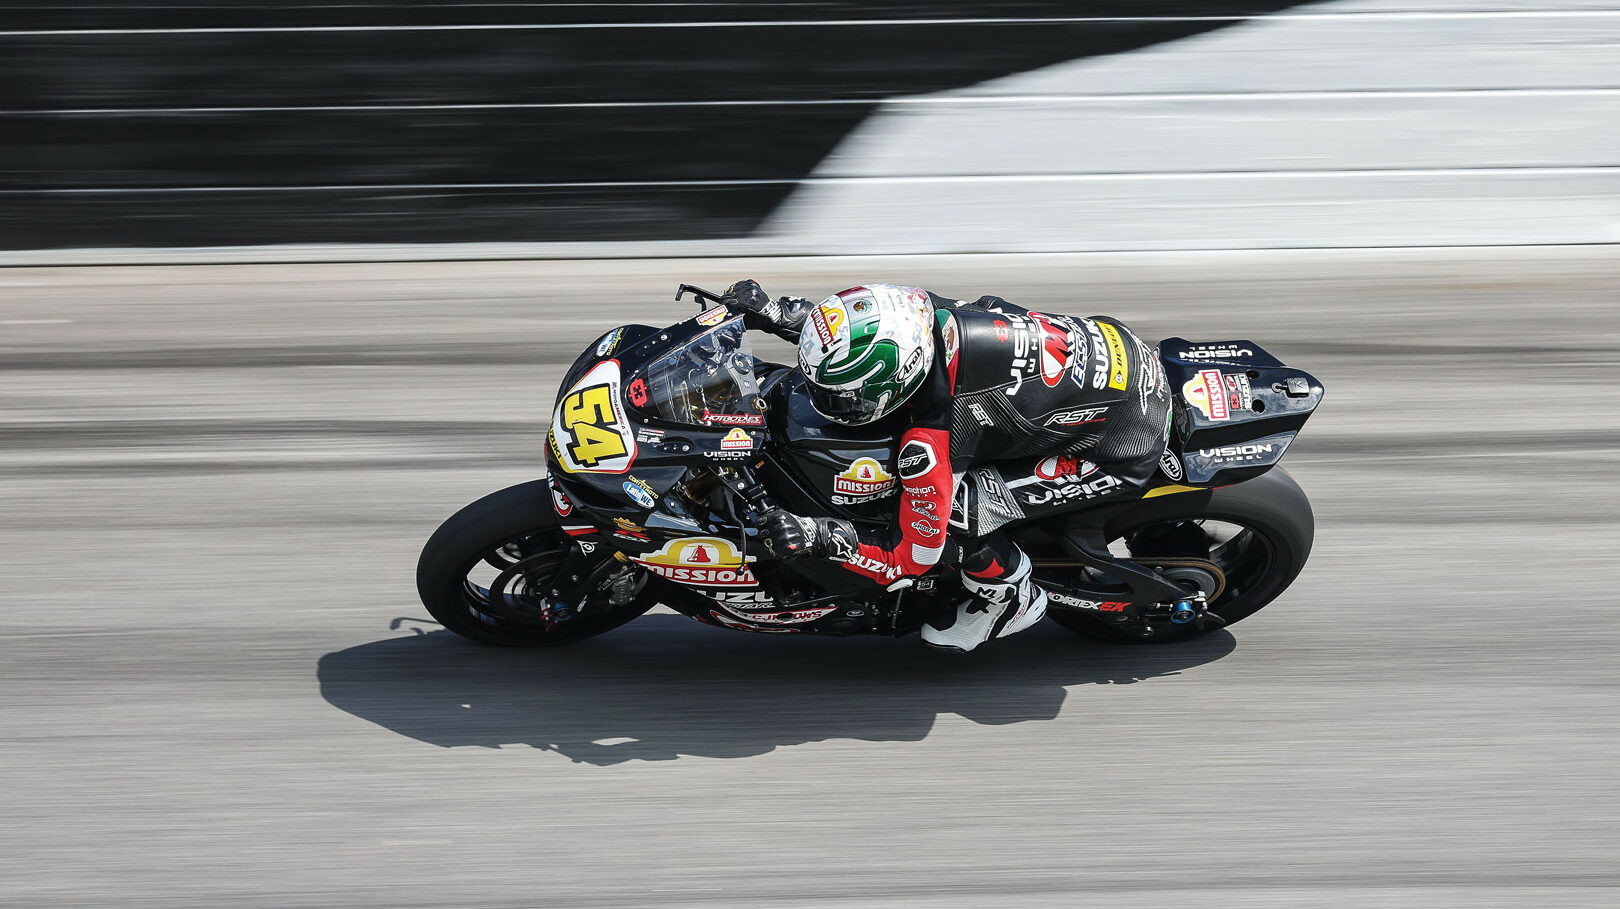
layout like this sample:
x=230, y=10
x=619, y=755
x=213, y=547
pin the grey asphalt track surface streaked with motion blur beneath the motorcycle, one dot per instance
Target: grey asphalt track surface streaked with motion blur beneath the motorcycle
x=220, y=689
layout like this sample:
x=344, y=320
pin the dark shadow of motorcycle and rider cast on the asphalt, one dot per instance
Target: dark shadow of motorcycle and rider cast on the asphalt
x=665, y=686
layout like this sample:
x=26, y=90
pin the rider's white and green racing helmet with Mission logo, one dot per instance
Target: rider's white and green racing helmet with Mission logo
x=868, y=351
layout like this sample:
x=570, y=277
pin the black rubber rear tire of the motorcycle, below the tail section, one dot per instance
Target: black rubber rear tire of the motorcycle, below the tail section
x=1273, y=506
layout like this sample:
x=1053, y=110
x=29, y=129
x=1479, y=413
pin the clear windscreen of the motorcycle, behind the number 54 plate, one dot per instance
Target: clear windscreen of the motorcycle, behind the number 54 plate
x=707, y=382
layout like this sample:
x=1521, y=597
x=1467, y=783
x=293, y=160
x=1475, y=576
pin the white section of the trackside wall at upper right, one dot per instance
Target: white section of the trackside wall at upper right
x=1350, y=124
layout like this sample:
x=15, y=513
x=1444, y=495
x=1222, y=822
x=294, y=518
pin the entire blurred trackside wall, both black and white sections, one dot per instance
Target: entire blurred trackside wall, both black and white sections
x=821, y=127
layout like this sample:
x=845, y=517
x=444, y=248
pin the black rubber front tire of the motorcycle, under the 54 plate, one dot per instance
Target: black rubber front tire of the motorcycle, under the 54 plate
x=463, y=542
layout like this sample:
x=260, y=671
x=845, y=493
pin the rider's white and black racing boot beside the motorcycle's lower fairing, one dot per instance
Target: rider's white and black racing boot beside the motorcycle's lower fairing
x=1005, y=600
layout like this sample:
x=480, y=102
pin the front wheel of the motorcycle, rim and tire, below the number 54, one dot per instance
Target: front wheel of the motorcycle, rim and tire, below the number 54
x=514, y=536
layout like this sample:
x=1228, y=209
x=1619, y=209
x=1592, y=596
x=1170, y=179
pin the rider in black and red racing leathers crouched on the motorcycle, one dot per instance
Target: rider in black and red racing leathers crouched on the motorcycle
x=979, y=383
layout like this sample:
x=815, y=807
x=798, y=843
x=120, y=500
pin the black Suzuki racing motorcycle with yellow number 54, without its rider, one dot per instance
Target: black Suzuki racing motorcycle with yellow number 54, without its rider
x=668, y=445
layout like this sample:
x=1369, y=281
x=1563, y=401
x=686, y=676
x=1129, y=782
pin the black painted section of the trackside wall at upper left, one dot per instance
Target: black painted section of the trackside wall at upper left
x=169, y=114
